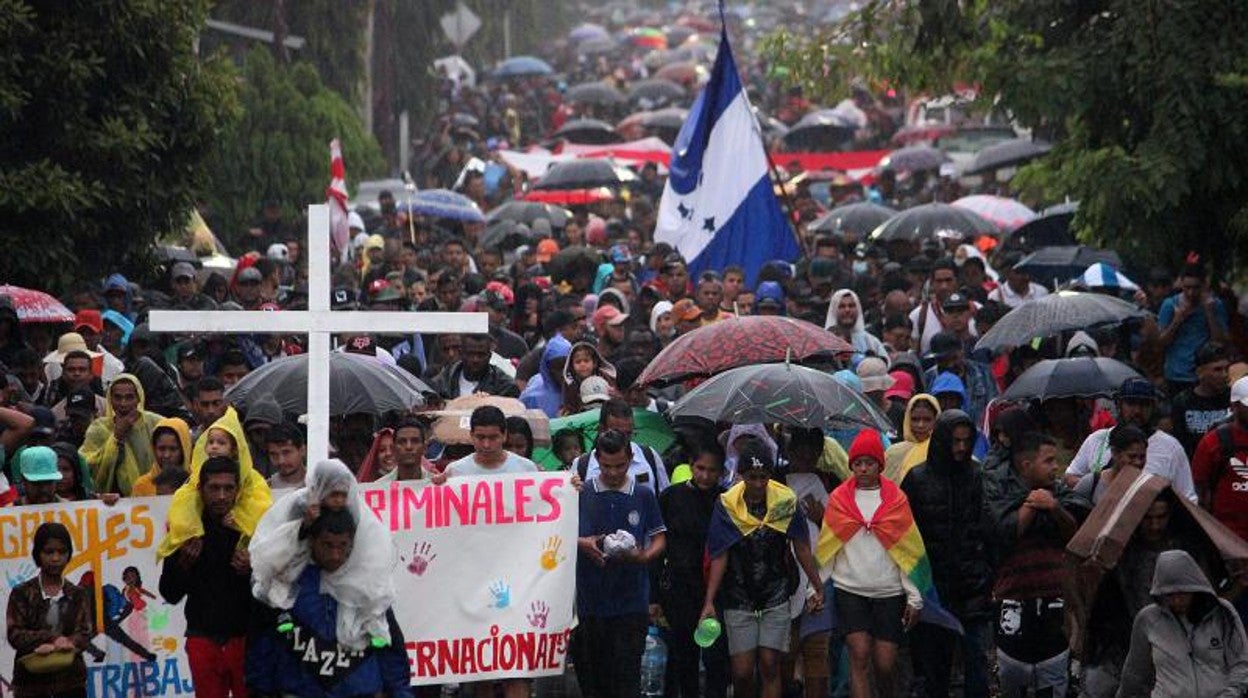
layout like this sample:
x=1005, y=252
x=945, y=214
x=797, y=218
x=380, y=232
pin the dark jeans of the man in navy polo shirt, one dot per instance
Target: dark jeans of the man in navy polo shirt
x=608, y=655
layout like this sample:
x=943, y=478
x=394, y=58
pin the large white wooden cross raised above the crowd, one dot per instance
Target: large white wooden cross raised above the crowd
x=319, y=323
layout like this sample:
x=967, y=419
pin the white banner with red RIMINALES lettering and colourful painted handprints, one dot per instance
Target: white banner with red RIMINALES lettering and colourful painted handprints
x=487, y=574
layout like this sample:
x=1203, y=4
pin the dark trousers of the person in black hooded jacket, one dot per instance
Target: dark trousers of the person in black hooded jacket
x=933, y=651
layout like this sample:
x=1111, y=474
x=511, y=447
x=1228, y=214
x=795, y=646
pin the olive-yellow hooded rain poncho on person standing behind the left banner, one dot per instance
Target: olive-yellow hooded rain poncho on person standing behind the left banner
x=117, y=466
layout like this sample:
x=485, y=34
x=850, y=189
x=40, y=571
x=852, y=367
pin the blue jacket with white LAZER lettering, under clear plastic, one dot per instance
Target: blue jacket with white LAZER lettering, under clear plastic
x=274, y=667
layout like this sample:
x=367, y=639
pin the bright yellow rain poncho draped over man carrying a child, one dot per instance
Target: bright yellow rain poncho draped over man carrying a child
x=187, y=511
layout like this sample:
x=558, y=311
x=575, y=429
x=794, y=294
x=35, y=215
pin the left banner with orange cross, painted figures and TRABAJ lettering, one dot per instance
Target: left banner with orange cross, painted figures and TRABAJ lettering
x=138, y=650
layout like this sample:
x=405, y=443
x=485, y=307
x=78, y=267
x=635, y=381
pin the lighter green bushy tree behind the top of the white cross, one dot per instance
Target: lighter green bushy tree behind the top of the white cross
x=280, y=148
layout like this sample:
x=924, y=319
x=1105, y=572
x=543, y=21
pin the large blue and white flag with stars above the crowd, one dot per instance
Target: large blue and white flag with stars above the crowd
x=719, y=208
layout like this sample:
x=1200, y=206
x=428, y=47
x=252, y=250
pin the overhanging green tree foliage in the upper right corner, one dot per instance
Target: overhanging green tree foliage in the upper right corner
x=1146, y=101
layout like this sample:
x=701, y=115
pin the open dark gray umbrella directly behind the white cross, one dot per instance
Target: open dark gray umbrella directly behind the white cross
x=358, y=384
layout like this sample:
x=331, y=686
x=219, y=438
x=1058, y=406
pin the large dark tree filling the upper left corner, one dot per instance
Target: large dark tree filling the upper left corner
x=105, y=117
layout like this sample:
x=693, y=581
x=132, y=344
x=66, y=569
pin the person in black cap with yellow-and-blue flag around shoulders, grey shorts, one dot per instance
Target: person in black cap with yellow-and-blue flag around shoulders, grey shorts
x=754, y=535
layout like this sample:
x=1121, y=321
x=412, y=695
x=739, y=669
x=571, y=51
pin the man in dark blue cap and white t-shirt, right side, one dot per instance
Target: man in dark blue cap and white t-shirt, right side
x=1138, y=403
